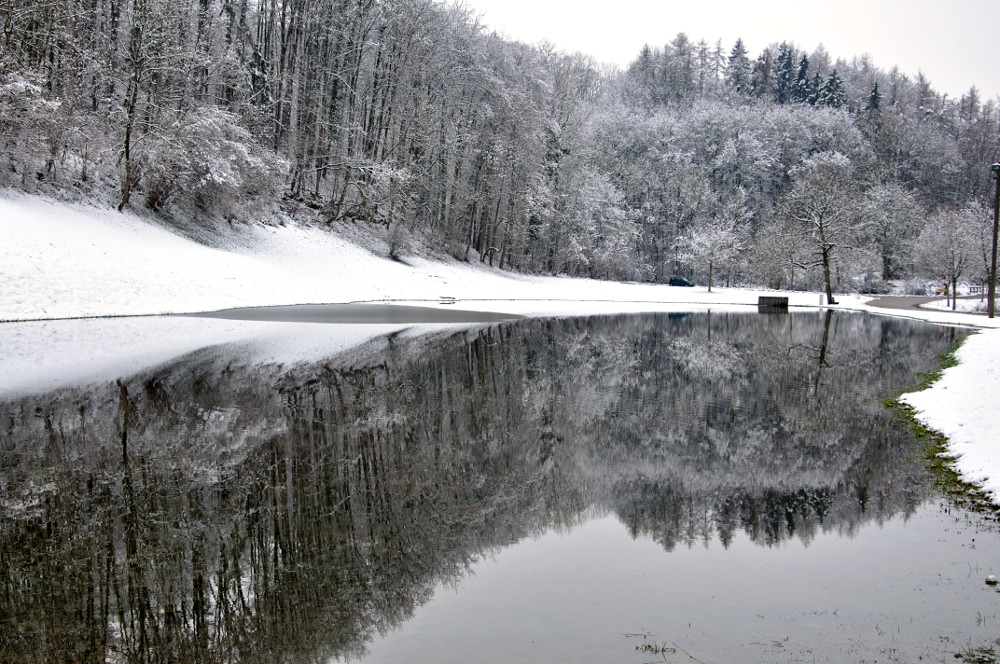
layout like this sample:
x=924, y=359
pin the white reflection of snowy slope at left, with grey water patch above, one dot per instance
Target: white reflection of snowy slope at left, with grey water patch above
x=39, y=356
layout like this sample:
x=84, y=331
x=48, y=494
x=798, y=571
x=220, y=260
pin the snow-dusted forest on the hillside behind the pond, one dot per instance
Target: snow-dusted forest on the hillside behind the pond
x=412, y=120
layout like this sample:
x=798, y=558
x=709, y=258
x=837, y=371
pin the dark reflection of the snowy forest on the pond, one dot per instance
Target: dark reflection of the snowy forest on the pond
x=215, y=510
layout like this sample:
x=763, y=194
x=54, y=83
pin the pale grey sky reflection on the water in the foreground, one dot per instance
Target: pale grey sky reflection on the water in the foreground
x=573, y=597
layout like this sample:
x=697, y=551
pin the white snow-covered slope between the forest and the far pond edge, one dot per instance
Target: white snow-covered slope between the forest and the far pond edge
x=64, y=261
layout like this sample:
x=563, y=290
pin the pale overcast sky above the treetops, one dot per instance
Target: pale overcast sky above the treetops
x=955, y=43
